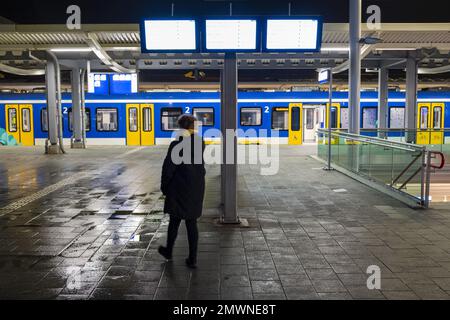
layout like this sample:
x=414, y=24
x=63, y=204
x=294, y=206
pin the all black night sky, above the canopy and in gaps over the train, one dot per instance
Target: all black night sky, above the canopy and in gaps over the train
x=132, y=11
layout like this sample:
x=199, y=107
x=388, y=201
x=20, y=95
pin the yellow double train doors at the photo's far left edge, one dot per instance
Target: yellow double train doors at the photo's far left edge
x=19, y=123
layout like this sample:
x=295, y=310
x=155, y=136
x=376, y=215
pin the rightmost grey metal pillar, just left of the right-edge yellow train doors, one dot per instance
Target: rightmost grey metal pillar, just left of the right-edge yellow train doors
x=411, y=98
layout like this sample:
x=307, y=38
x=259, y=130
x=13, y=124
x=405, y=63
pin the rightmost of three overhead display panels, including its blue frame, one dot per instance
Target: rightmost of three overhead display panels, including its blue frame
x=293, y=34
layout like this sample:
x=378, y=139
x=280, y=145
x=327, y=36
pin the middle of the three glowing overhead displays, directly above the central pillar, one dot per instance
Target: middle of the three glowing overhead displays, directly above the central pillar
x=236, y=35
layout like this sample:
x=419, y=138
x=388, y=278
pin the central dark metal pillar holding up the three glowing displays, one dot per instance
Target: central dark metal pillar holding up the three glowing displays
x=229, y=143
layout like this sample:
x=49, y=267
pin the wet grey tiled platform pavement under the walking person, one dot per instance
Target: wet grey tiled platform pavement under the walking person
x=95, y=236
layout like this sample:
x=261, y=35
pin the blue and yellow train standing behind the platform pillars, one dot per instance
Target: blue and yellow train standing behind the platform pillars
x=284, y=117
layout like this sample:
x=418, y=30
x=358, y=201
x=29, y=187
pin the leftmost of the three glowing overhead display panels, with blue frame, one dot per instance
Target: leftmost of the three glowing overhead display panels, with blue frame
x=169, y=35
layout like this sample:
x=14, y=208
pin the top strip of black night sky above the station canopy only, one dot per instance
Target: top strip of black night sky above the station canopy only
x=131, y=11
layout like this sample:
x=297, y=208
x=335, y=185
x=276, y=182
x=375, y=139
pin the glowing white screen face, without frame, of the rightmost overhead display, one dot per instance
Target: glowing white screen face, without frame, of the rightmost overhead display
x=292, y=34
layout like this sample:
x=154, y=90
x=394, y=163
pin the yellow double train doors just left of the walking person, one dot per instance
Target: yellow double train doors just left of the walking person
x=140, y=128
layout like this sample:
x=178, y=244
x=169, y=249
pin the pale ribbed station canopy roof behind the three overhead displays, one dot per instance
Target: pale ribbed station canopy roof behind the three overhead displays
x=117, y=48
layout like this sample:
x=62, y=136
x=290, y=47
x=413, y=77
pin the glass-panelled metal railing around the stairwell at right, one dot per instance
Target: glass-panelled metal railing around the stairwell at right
x=399, y=169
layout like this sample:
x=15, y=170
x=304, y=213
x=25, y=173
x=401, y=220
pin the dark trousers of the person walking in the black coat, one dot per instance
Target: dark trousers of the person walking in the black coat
x=192, y=231
